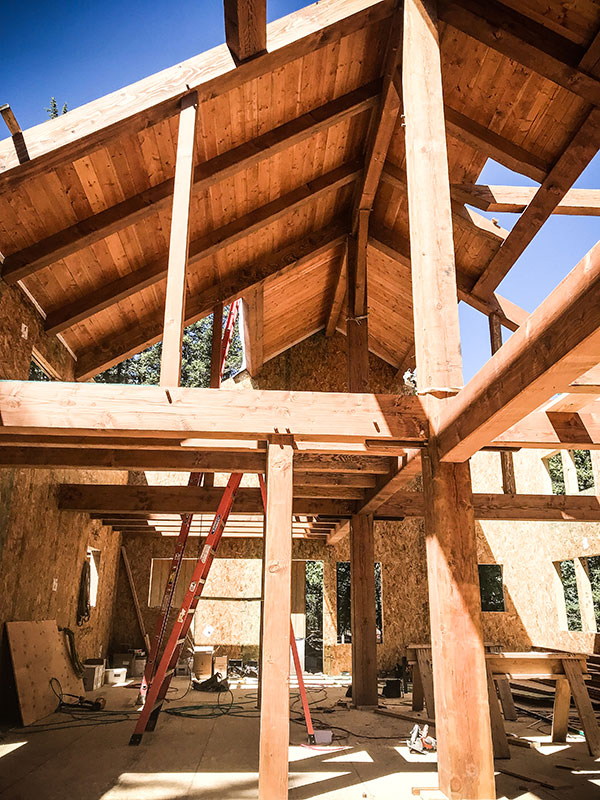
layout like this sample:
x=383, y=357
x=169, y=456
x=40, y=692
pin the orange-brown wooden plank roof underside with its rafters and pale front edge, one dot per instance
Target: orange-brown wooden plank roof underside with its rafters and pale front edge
x=281, y=143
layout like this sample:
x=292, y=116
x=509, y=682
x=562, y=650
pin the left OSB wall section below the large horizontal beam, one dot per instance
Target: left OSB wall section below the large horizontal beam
x=42, y=550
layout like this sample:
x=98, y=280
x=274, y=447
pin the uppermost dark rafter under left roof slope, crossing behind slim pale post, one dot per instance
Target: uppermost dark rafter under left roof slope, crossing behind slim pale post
x=82, y=234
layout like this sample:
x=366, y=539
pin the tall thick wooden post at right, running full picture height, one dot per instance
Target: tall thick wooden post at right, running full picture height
x=465, y=760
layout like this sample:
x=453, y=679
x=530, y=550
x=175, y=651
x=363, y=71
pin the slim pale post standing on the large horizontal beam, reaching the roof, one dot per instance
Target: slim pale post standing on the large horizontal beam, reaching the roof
x=170, y=364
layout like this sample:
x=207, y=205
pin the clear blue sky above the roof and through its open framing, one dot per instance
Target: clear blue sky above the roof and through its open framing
x=80, y=51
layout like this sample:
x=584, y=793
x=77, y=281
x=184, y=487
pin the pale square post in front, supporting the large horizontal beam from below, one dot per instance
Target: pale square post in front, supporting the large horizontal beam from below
x=275, y=700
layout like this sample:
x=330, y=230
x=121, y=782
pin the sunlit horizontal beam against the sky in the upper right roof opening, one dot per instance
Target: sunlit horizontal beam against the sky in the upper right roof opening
x=515, y=199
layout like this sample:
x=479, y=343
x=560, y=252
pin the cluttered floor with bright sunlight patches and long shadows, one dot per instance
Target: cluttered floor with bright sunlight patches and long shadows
x=217, y=758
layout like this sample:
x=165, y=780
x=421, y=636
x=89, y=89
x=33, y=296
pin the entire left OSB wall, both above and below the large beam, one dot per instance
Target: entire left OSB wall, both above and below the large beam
x=42, y=549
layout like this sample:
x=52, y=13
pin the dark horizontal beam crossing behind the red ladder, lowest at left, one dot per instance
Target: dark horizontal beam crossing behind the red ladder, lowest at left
x=113, y=499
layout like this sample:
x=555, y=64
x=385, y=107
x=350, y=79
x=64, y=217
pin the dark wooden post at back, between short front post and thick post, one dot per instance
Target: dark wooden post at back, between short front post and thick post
x=362, y=606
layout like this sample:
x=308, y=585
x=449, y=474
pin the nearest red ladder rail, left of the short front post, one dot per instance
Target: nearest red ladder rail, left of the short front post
x=162, y=679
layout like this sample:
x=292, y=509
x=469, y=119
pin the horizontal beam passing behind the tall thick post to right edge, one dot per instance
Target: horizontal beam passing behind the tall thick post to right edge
x=515, y=507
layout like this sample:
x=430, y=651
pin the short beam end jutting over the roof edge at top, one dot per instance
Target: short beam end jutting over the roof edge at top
x=245, y=28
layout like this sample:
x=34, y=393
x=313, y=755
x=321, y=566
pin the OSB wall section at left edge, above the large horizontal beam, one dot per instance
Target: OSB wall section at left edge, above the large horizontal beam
x=15, y=351
